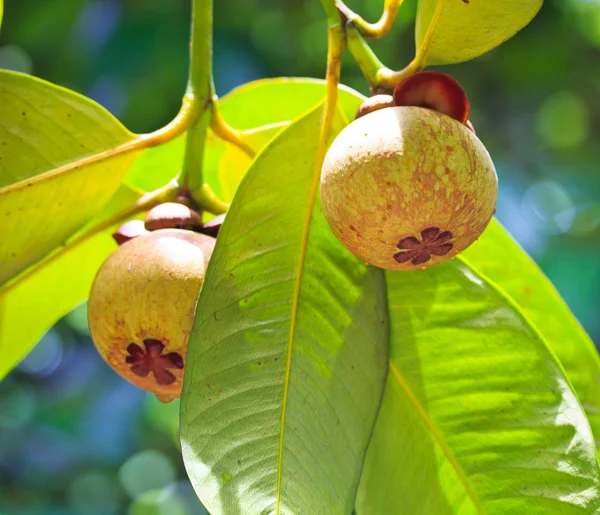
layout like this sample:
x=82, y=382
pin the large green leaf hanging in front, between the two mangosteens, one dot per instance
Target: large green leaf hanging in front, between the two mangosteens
x=288, y=355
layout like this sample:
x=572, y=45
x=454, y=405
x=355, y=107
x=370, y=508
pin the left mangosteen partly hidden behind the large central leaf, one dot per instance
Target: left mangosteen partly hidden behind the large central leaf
x=142, y=304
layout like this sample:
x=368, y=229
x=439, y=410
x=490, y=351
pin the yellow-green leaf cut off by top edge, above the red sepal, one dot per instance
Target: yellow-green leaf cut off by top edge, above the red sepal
x=452, y=31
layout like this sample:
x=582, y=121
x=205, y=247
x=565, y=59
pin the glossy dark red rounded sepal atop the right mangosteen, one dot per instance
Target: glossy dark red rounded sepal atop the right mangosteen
x=434, y=90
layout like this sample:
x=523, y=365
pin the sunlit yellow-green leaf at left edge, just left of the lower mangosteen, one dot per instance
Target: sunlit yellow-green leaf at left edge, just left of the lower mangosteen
x=35, y=300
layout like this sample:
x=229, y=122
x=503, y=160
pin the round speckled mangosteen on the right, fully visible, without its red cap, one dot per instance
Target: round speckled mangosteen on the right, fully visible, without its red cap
x=405, y=188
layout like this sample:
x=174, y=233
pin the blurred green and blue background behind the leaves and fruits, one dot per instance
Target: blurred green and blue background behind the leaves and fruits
x=74, y=437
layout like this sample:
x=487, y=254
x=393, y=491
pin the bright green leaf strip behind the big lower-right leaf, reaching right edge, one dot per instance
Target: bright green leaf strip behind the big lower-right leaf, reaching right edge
x=499, y=257
